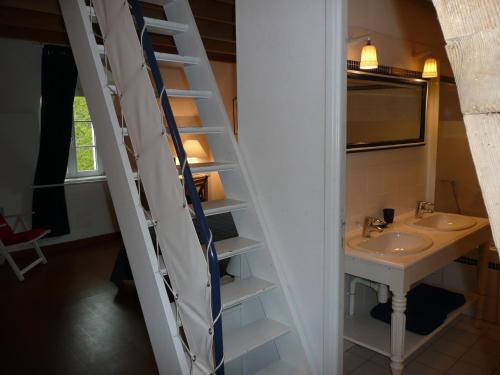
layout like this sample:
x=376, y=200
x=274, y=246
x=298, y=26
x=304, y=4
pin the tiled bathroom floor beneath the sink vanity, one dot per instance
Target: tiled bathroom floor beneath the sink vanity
x=461, y=349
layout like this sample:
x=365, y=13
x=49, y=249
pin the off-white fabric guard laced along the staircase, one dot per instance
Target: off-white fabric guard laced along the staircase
x=180, y=248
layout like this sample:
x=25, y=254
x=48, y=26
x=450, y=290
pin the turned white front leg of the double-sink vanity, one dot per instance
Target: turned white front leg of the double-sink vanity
x=398, y=327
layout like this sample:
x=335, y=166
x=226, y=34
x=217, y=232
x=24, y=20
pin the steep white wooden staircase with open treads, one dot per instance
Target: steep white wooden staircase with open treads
x=258, y=330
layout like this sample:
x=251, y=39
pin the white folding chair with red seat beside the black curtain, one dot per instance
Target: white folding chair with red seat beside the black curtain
x=10, y=241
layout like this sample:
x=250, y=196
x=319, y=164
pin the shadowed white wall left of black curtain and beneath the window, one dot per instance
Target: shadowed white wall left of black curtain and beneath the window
x=89, y=207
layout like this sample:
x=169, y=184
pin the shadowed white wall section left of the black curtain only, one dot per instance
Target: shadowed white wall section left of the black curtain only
x=20, y=70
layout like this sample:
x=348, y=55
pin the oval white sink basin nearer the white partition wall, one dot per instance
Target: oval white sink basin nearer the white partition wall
x=392, y=243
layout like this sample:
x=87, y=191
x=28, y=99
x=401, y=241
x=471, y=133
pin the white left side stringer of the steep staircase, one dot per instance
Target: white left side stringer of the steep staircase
x=159, y=317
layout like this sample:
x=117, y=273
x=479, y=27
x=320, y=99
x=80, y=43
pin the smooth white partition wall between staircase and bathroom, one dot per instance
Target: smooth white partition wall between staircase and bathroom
x=281, y=103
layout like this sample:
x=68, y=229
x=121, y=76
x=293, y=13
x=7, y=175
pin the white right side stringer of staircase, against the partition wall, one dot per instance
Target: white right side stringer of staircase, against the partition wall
x=279, y=304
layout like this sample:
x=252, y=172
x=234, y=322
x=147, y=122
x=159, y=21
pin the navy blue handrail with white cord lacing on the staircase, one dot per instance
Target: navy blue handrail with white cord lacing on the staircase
x=206, y=234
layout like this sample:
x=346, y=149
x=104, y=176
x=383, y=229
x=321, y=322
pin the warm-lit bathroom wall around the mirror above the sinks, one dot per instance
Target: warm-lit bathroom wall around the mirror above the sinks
x=395, y=178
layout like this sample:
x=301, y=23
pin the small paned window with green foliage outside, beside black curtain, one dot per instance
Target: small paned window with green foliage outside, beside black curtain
x=83, y=157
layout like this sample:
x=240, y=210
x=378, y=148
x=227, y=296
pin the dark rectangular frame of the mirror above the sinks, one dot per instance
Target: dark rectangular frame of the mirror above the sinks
x=399, y=143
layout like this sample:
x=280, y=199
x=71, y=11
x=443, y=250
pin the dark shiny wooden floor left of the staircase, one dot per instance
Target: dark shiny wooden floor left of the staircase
x=68, y=318
